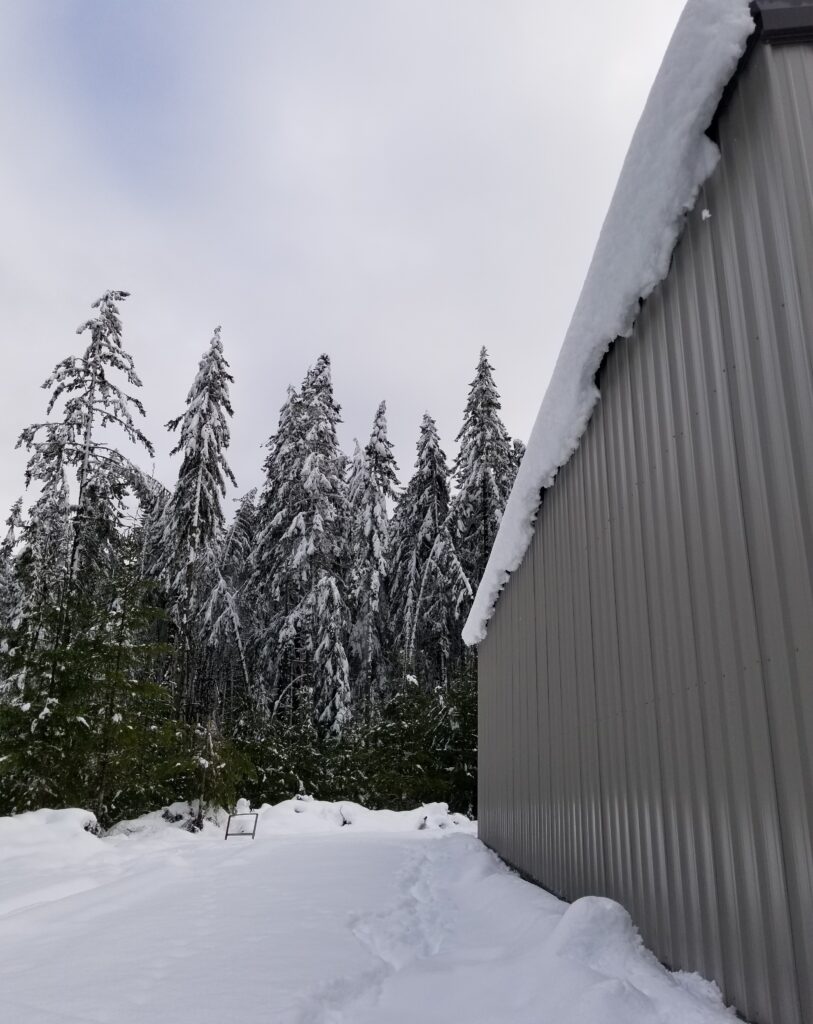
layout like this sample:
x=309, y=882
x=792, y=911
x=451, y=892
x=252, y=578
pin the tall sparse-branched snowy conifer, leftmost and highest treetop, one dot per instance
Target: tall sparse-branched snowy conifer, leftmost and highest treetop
x=73, y=547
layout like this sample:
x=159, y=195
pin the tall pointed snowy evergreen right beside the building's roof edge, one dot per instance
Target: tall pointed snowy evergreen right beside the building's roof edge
x=485, y=473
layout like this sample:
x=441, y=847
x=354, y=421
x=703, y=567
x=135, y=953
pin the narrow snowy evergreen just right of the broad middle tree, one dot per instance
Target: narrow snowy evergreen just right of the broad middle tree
x=373, y=484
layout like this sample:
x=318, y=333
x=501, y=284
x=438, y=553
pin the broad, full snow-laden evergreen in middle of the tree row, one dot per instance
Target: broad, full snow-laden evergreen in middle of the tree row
x=302, y=559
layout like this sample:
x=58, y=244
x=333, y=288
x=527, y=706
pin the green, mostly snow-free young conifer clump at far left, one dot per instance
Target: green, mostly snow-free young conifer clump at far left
x=84, y=724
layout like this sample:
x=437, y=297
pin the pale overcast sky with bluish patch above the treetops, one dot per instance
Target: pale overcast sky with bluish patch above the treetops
x=396, y=183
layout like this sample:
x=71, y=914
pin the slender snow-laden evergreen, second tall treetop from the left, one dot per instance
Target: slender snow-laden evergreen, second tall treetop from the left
x=193, y=519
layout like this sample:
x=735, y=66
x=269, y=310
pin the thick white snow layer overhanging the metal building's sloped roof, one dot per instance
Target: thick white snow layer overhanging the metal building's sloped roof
x=670, y=158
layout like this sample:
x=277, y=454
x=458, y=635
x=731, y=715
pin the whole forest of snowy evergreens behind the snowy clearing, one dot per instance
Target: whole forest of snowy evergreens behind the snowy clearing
x=154, y=649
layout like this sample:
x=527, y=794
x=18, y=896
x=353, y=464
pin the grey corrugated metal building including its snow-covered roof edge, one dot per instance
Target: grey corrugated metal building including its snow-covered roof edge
x=646, y=623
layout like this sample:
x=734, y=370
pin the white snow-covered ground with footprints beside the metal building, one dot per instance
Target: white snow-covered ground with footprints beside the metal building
x=315, y=922
